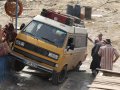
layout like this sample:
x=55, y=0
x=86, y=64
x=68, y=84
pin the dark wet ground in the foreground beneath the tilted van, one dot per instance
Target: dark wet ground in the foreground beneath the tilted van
x=26, y=80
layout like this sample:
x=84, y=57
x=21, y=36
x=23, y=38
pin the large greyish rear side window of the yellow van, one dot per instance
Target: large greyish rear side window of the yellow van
x=80, y=40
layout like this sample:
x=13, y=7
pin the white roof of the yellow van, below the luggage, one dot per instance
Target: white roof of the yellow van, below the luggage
x=69, y=29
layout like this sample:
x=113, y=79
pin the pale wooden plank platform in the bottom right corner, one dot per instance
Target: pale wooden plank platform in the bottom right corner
x=109, y=82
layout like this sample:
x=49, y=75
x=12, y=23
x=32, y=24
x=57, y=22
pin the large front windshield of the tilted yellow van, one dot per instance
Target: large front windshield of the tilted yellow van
x=46, y=33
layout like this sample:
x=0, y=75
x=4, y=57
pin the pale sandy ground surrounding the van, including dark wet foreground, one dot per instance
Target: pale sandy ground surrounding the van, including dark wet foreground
x=105, y=19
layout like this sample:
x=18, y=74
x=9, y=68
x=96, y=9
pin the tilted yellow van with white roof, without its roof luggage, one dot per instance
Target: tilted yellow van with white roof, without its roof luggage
x=51, y=46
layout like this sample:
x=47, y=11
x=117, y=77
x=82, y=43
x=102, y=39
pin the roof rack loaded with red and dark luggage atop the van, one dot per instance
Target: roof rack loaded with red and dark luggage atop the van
x=62, y=18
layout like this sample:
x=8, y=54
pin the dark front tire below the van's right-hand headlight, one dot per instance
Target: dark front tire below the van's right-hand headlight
x=60, y=77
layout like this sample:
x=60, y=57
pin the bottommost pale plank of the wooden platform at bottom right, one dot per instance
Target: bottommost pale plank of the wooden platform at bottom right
x=98, y=86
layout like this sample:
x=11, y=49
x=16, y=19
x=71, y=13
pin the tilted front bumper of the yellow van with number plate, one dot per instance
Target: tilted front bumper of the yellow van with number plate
x=31, y=63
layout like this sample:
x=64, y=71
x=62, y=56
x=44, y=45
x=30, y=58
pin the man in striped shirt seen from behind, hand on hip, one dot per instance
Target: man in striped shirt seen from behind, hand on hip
x=107, y=54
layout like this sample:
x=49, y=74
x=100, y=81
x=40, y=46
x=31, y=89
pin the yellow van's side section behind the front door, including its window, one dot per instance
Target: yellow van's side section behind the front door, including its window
x=80, y=48
